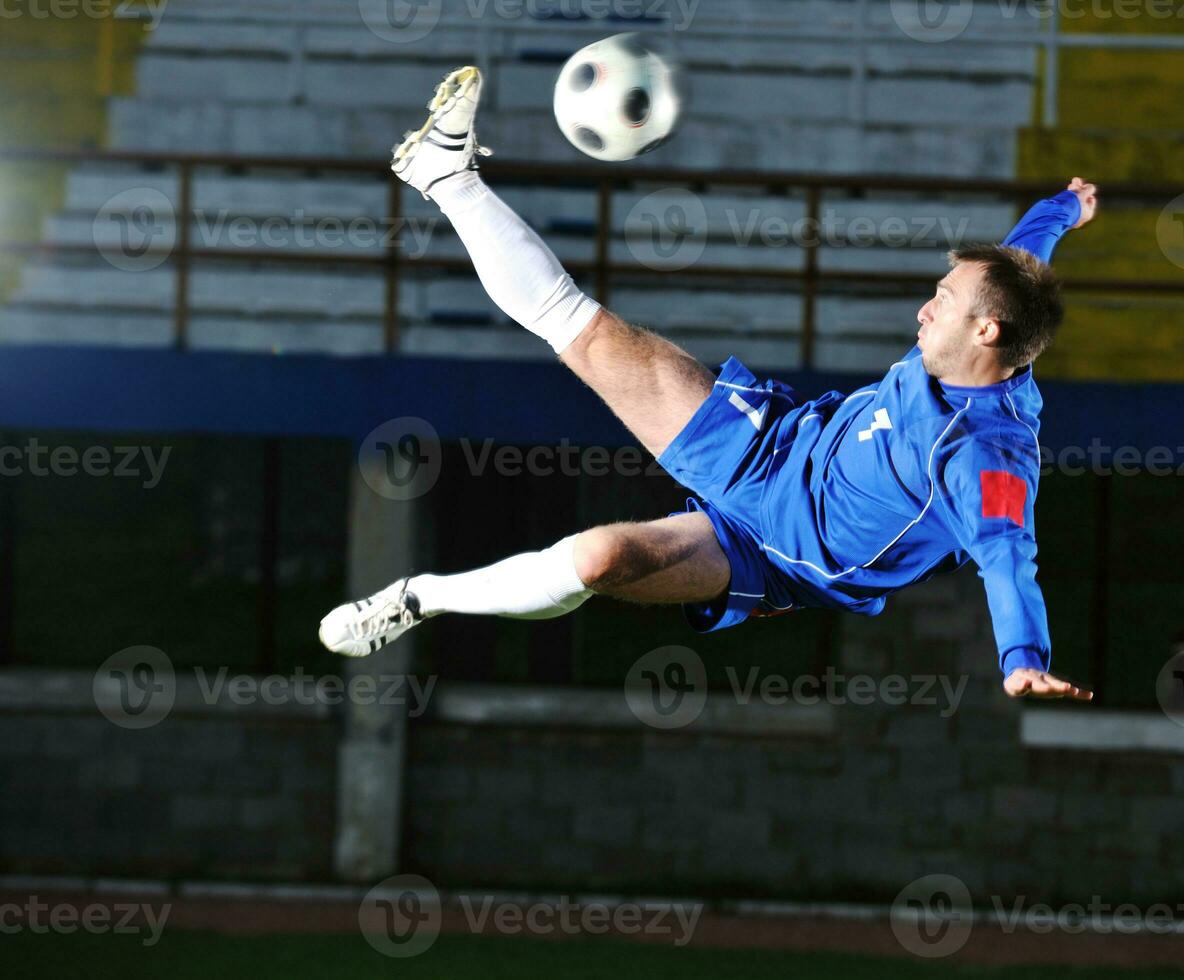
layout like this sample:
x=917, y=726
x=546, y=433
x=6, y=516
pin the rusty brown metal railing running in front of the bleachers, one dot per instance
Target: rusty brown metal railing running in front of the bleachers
x=608, y=182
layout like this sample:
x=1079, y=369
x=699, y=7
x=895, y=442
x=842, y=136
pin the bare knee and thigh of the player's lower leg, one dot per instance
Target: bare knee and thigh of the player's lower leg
x=674, y=560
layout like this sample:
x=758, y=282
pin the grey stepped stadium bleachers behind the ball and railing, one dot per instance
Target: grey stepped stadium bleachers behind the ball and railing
x=313, y=80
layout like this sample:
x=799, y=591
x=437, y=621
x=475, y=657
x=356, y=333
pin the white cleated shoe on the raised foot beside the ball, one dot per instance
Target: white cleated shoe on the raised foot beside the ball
x=448, y=143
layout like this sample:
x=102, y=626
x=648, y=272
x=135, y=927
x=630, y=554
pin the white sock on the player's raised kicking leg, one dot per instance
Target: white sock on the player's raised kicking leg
x=518, y=270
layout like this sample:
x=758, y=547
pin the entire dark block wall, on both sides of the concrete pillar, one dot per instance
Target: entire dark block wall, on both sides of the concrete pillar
x=852, y=807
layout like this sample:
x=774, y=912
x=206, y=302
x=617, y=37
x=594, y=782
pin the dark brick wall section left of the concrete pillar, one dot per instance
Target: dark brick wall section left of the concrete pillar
x=226, y=797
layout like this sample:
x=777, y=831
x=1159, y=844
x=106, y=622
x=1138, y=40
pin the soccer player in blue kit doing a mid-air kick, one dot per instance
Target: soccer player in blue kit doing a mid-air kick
x=835, y=502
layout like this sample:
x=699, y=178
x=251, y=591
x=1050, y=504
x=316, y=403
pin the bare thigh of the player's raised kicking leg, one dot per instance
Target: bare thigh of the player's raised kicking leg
x=651, y=384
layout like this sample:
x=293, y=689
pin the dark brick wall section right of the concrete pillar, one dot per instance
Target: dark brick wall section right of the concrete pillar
x=900, y=792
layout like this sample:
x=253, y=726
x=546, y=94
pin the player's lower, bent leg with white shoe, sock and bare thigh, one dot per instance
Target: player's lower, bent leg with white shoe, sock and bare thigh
x=673, y=560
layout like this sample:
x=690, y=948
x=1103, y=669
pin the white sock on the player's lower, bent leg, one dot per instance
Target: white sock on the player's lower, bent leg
x=539, y=585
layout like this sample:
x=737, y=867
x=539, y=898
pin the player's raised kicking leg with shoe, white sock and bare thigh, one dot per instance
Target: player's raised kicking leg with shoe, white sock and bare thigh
x=651, y=384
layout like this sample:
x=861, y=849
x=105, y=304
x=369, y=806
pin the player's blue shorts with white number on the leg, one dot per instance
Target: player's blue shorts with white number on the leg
x=725, y=455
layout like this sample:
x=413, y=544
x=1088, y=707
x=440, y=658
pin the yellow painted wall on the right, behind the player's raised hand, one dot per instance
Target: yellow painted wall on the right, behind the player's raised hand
x=1121, y=119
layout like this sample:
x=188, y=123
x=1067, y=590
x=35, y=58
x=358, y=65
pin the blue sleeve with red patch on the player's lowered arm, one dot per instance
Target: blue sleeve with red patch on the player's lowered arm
x=988, y=498
